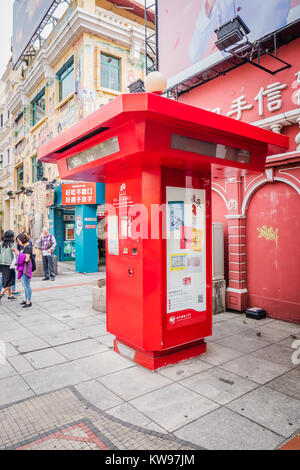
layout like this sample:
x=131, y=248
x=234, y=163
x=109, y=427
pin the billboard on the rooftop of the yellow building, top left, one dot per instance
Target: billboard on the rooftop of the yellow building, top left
x=27, y=17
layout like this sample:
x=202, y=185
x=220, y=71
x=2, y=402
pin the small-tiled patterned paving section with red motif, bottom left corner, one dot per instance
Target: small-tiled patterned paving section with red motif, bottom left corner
x=64, y=420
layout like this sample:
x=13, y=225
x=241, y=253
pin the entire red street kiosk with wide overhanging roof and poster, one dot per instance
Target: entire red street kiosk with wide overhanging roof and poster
x=156, y=157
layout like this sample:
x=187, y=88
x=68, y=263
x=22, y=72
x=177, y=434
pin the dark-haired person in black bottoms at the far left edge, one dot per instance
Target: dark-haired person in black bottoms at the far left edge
x=7, y=264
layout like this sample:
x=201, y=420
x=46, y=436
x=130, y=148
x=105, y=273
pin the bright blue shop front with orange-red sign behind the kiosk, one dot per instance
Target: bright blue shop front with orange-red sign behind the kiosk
x=76, y=219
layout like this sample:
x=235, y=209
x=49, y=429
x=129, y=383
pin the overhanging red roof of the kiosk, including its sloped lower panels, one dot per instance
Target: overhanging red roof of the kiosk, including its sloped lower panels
x=168, y=117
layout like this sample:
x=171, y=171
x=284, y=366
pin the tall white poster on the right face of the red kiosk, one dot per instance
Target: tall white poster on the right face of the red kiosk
x=186, y=252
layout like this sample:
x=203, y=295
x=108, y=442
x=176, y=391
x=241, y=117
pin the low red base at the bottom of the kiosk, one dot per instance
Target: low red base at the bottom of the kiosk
x=156, y=359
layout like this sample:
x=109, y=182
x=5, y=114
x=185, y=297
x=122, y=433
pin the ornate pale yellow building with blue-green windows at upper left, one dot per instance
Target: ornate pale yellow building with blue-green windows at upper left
x=93, y=54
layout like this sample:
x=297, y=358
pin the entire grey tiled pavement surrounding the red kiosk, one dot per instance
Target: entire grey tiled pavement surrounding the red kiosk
x=62, y=386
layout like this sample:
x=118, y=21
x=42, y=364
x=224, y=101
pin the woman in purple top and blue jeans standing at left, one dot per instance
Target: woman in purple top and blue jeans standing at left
x=24, y=267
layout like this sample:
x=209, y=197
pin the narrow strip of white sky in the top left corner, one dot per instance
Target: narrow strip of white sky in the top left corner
x=5, y=32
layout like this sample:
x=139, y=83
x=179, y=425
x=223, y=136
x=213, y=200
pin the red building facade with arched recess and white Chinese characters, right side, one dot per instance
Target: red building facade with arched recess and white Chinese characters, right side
x=261, y=213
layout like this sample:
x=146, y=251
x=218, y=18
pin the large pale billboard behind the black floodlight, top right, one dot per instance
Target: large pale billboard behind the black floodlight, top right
x=186, y=43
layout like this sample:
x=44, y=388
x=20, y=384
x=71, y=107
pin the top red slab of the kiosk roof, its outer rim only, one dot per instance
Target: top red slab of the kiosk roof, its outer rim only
x=149, y=105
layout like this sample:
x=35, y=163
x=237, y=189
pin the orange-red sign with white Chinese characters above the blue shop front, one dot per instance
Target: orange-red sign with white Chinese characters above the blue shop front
x=78, y=193
